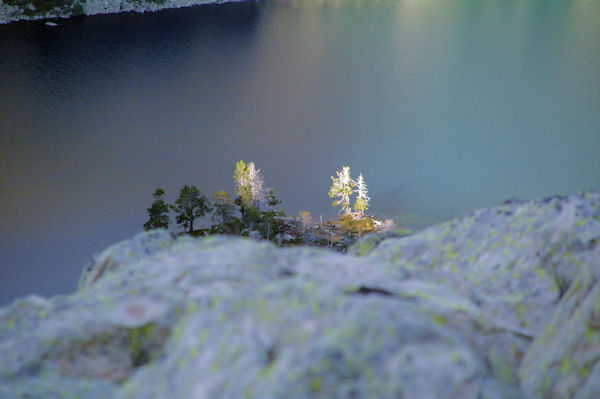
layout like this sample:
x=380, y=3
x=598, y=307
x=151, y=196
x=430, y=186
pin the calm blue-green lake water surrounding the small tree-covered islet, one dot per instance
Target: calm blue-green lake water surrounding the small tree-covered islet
x=444, y=106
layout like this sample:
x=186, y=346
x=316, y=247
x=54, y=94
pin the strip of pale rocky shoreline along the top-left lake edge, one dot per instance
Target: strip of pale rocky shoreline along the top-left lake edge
x=29, y=10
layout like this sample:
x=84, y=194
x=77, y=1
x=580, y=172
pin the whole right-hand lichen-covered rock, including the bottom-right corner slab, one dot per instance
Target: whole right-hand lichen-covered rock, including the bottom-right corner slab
x=534, y=266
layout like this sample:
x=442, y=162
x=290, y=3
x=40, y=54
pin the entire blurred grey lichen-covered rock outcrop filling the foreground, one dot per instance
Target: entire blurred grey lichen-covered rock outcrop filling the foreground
x=503, y=303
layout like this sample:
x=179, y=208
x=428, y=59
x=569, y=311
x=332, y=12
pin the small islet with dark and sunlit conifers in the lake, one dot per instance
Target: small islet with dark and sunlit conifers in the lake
x=254, y=213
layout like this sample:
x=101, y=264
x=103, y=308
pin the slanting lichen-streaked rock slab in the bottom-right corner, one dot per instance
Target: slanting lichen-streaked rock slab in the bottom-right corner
x=572, y=368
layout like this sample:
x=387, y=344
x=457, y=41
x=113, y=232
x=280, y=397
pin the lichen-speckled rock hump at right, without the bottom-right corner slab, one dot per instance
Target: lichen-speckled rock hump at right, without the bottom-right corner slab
x=518, y=258
